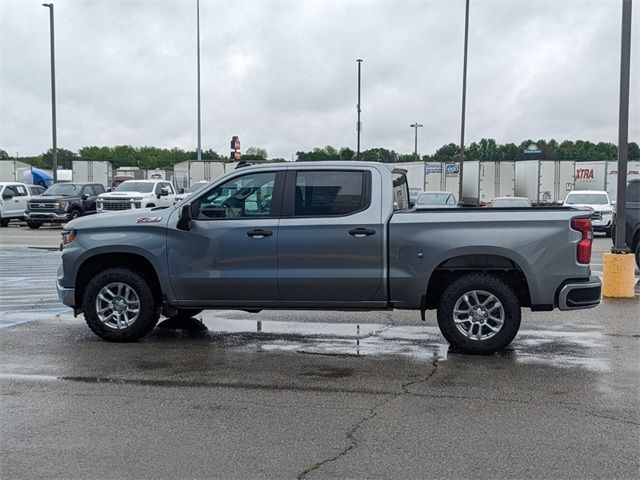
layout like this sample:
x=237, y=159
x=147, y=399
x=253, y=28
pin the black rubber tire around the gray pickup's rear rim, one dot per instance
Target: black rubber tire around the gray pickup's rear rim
x=508, y=302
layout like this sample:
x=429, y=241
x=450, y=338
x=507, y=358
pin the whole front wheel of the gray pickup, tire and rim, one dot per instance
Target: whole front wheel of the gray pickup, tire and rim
x=119, y=305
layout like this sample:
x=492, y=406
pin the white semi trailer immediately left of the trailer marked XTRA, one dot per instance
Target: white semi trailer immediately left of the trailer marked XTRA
x=544, y=182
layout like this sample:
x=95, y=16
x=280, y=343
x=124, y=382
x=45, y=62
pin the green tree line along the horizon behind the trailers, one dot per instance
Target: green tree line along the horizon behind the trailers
x=486, y=149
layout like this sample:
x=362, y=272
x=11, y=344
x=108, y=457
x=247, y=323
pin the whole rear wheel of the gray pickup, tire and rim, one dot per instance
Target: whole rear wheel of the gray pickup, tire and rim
x=479, y=314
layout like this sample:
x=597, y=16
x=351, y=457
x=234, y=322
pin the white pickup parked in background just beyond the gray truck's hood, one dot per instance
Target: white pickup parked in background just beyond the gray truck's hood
x=137, y=194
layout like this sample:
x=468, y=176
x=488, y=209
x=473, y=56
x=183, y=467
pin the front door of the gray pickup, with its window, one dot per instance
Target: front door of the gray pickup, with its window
x=229, y=255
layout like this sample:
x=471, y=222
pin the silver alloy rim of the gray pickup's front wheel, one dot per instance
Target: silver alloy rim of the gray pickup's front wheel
x=117, y=305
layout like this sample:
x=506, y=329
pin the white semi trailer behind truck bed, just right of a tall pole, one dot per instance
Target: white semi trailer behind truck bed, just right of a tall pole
x=483, y=181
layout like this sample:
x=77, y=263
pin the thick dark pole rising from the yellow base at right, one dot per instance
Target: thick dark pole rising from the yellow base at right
x=623, y=129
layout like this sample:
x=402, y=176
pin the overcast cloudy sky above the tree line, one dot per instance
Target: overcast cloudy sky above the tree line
x=282, y=74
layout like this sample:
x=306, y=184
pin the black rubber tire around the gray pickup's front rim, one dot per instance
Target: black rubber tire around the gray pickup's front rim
x=149, y=311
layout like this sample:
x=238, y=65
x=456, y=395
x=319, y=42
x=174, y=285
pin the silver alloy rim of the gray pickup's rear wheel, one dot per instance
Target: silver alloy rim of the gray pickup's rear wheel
x=478, y=315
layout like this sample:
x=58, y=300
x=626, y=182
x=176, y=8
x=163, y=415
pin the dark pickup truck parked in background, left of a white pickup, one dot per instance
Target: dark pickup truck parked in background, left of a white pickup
x=62, y=202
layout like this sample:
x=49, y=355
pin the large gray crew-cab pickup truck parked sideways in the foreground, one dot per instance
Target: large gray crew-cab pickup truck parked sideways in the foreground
x=334, y=236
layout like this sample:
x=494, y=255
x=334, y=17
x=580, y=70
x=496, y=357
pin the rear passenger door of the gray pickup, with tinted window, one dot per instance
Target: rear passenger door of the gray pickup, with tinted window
x=326, y=254
